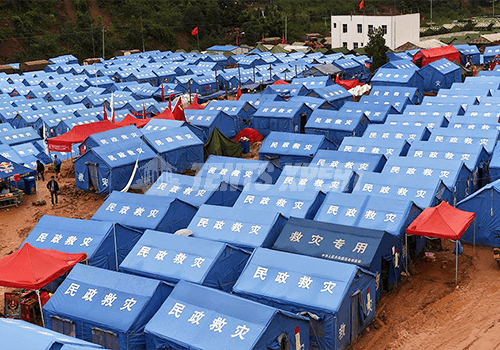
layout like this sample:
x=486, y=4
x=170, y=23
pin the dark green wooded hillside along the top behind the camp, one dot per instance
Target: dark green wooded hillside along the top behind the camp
x=35, y=29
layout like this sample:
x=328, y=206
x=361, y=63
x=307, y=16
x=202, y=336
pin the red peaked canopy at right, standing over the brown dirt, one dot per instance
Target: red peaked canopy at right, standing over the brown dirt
x=442, y=221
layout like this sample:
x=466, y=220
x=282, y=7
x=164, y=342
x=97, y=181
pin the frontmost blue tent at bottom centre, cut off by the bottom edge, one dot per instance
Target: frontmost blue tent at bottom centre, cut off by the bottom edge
x=231, y=323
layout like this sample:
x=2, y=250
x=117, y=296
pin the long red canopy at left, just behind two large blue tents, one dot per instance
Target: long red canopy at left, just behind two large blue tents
x=78, y=134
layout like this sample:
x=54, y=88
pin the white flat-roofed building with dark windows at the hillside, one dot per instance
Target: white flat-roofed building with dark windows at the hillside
x=352, y=31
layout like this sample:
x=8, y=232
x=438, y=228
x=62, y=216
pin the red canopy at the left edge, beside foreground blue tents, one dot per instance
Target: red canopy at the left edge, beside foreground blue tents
x=33, y=268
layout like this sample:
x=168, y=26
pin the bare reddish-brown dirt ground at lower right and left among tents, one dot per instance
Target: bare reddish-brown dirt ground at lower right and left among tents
x=425, y=311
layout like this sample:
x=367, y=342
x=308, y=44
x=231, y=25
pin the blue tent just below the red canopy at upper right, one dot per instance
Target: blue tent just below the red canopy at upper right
x=440, y=74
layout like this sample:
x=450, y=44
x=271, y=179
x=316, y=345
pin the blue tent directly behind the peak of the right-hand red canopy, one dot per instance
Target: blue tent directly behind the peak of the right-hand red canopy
x=454, y=174
